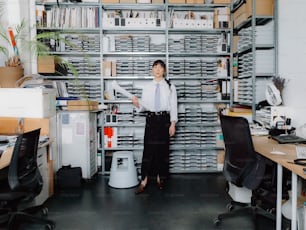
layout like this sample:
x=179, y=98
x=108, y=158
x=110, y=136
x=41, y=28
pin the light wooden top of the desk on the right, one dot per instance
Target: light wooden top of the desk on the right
x=264, y=145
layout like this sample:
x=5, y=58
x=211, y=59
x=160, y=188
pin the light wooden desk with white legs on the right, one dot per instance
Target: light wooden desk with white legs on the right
x=264, y=145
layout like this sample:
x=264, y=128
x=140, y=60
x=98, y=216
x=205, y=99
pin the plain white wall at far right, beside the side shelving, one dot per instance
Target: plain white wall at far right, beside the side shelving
x=292, y=56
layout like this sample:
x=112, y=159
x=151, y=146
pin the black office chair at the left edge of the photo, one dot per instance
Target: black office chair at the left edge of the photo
x=24, y=183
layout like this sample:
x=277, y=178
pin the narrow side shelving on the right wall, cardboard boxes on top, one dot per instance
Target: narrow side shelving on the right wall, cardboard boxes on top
x=256, y=50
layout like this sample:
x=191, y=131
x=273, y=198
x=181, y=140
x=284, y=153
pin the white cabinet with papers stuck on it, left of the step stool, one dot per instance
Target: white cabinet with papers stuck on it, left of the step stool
x=77, y=141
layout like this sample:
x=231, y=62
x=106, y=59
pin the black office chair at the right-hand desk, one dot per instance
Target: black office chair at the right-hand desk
x=244, y=169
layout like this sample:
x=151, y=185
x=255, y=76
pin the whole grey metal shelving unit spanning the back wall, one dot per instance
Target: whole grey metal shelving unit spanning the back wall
x=198, y=55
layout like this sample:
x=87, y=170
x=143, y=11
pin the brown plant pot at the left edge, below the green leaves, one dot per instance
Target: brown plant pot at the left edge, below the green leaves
x=9, y=76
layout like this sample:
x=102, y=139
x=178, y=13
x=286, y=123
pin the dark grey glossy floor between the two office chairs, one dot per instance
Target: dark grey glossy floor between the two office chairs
x=188, y=202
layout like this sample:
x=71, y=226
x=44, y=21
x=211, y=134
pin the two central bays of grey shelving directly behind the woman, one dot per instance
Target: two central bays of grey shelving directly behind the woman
x=191, y=53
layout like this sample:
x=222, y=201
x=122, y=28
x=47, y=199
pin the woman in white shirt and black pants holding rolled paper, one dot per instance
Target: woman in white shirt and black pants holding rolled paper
x=159, y=100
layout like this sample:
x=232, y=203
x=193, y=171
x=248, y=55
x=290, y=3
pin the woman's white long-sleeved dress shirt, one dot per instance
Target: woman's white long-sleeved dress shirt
x=168, y=98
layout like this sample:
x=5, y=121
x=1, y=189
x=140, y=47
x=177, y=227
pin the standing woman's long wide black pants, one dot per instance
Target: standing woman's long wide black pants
x=155, y=159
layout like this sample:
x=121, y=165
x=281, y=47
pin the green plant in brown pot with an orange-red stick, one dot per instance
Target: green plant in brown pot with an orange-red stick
x=15, y=42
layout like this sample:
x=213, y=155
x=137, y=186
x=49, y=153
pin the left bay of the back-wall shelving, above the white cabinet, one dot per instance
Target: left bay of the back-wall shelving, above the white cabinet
x=78, y=26
